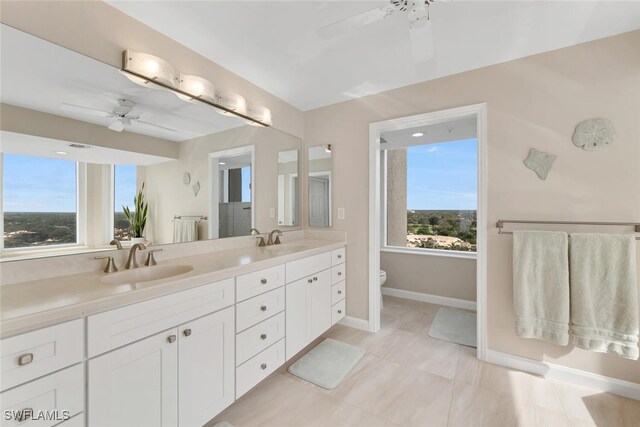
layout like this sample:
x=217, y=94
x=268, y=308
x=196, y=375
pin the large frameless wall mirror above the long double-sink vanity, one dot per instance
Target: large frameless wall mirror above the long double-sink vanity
x=79, y=139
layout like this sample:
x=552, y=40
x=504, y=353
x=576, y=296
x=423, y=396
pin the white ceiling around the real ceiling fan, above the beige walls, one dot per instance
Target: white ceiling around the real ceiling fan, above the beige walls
x=274, y=44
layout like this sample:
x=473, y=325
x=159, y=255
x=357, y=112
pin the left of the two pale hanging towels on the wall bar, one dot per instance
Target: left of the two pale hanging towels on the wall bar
x=541, y=285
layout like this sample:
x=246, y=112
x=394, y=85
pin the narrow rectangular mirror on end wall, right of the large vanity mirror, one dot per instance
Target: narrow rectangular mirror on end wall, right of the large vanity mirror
x=319, y=178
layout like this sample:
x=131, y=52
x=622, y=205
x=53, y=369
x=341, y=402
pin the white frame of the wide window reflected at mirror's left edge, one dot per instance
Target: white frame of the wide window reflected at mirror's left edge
x=81, y=213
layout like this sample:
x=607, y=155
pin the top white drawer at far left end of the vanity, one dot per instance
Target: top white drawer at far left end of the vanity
x=34, y=354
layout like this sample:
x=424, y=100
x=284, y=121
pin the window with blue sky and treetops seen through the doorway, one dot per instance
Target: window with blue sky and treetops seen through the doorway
x=431, y=196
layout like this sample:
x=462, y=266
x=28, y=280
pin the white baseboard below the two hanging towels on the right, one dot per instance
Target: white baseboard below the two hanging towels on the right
x=563, y=373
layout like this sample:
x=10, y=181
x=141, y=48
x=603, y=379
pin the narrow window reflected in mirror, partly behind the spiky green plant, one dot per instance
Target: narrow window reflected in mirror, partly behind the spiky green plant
x=124, y=191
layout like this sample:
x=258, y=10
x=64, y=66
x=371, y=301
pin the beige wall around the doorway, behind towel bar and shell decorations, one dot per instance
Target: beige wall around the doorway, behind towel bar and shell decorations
x=532, y=102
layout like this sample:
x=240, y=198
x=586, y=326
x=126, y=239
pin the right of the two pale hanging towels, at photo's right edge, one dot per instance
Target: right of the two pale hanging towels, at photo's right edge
x=604, y=293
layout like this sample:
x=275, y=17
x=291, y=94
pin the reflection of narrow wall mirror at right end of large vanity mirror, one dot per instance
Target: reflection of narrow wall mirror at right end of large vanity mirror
x=288, y=187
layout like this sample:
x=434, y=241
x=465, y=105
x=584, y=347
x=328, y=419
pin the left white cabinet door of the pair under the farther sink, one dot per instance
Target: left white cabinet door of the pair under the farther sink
x=298, y=316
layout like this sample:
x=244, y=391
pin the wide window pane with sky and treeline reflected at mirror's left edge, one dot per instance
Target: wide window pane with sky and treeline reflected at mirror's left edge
x=40, y=201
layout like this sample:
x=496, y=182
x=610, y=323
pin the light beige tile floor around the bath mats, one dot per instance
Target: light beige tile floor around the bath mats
x=409, y=379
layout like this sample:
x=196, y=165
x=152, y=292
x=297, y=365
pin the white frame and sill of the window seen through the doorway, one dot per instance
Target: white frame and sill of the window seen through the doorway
x=384, y=247
